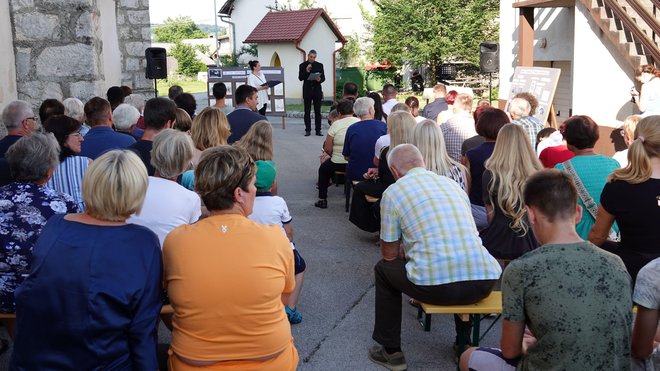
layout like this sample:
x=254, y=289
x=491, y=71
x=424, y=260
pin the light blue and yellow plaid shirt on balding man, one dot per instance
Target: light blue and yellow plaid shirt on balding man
x=431, y=215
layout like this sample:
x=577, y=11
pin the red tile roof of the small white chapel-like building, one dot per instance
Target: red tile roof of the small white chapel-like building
x=289, y=26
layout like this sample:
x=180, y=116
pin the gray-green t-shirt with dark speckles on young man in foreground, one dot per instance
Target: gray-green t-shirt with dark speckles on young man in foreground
x=576, y=300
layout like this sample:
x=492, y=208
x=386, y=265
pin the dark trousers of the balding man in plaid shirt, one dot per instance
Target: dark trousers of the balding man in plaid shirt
x=391, y=281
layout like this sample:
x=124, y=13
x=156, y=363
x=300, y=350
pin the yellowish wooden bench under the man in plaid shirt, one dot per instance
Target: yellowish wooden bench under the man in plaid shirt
x=470, y=314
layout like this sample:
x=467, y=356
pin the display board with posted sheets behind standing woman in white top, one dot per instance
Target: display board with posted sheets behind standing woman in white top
x=233, y=77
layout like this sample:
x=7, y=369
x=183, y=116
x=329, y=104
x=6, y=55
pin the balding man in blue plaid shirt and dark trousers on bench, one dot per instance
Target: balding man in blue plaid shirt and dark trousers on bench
x=431, y=250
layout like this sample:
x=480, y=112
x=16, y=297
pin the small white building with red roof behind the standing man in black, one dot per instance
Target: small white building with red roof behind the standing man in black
x=285, y=38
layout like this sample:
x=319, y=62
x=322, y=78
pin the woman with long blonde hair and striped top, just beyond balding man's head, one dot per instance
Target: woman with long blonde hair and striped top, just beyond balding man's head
x=427, y=137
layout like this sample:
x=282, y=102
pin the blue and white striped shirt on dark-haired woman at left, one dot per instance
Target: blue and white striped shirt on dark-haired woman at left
x=68, y=178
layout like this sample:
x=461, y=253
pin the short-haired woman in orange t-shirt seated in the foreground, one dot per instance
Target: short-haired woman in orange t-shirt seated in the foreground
x=227, y=277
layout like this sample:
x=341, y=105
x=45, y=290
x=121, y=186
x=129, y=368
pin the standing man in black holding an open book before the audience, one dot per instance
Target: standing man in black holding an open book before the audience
x=311, y=74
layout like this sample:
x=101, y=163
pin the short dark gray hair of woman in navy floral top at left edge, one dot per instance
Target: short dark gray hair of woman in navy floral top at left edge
x=31, y=157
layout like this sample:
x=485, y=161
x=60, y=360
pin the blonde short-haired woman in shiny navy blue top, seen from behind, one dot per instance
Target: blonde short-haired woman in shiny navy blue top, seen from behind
x=93, y=295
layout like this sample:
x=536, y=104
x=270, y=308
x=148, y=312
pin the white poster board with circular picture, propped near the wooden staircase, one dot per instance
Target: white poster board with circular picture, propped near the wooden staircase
x=542, y=83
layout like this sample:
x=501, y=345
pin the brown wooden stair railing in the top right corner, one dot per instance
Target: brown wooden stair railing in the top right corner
x=650, y=47
